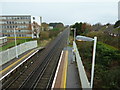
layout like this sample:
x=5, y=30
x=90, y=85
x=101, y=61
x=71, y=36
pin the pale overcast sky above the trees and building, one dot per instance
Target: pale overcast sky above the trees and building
x=65, y=11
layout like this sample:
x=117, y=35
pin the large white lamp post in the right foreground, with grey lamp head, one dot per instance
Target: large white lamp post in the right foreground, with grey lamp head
x=83, y=38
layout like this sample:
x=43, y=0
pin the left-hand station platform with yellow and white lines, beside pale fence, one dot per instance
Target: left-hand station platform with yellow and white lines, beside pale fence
x=10, y=66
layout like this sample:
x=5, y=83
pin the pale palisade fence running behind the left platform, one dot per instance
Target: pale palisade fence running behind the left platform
x=9, y=54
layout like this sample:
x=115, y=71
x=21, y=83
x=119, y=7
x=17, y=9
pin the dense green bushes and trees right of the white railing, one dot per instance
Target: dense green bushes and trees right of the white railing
x=107, y=65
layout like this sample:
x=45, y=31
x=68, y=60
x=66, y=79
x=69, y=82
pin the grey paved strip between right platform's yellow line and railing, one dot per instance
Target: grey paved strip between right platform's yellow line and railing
x=73, y=80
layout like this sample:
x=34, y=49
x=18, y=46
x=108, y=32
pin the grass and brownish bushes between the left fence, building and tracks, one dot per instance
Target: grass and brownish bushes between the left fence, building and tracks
x=45, y=37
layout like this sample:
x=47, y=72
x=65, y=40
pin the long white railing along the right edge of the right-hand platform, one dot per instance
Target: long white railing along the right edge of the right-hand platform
x=82, y=74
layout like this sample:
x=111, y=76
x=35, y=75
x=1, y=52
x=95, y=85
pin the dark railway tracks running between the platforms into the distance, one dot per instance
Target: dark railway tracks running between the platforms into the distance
x=40, y=73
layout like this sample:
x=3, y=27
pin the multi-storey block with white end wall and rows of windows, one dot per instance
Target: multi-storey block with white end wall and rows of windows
x=25, y=26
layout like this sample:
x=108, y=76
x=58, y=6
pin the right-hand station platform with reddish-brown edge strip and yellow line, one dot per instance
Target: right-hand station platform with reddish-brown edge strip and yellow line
x=66, y=75
